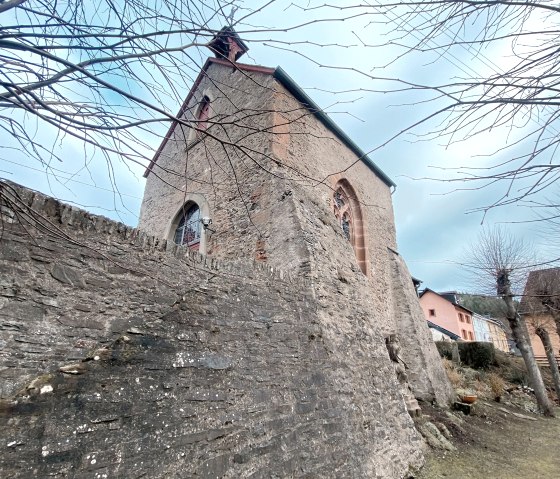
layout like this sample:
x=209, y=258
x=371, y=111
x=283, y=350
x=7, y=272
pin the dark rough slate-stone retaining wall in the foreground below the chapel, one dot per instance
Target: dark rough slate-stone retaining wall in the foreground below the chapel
x=126, y=356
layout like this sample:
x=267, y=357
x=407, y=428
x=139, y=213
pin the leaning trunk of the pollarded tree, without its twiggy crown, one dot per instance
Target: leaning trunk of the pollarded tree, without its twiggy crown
x=522, y=342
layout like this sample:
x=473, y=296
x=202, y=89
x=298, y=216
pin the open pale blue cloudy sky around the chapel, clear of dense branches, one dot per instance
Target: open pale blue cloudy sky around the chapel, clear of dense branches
x=433, y=222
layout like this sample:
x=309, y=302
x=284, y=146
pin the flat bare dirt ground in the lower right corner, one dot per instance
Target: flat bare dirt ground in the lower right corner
x=497, y=442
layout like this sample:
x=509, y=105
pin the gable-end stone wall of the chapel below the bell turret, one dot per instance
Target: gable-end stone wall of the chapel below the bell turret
x=234, y=176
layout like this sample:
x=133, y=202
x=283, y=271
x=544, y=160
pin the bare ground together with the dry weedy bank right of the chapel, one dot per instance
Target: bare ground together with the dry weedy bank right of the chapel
x=503, y=435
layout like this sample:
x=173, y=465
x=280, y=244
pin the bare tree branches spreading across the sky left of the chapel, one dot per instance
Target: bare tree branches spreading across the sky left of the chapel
x=109, y=77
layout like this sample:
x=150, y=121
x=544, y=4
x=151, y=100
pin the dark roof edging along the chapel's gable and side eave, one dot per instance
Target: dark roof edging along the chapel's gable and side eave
x=287, y=82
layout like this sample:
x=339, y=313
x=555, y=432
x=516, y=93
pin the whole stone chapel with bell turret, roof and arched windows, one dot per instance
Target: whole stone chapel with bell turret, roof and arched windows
x=257, y=170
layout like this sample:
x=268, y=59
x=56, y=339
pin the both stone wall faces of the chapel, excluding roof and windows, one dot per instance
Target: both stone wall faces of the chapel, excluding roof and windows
x=272, y=205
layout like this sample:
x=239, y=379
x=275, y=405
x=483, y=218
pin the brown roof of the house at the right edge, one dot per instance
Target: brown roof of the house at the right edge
x=539, y=284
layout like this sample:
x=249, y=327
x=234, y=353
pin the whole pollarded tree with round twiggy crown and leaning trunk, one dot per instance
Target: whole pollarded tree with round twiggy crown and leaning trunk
x=503, y=259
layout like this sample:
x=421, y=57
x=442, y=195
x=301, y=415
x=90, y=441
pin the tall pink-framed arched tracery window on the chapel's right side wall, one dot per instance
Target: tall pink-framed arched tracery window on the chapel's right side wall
x=349, y=215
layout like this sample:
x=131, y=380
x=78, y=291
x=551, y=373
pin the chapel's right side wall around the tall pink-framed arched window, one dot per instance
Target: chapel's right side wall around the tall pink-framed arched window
x=386, y=292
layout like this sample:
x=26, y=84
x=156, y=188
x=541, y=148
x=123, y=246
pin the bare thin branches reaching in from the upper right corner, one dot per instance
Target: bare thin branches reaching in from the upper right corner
x=519, y=93
